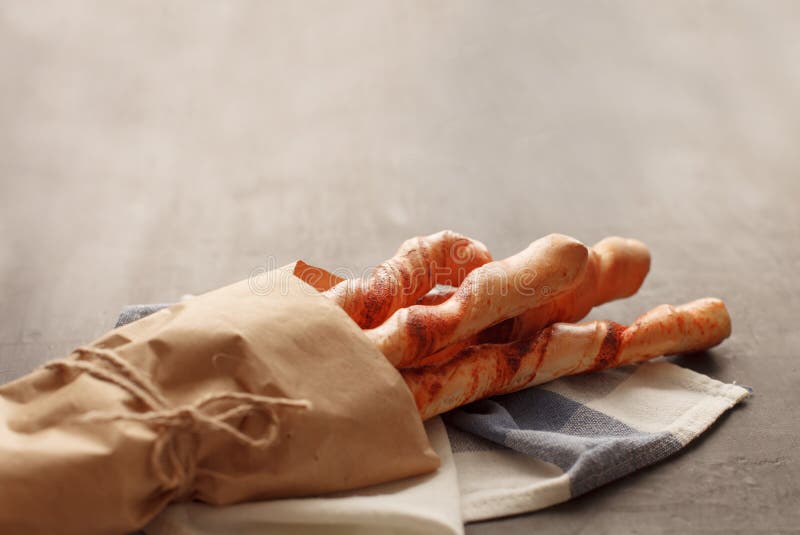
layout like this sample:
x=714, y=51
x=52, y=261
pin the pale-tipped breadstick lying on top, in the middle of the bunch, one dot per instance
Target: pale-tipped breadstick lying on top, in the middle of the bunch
x=490, y=294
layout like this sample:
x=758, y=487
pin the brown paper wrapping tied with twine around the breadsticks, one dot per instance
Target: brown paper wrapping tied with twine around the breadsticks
x=231, y=396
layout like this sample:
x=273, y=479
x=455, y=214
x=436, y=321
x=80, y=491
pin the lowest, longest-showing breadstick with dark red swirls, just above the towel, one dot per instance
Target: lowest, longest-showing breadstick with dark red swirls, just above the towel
x=564, y=349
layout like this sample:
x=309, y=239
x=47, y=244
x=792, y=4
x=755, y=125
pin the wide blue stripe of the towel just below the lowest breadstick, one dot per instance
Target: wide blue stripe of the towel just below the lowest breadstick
x=592, y=448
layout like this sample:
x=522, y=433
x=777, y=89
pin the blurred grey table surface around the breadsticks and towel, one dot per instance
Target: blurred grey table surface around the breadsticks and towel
x=149, y=150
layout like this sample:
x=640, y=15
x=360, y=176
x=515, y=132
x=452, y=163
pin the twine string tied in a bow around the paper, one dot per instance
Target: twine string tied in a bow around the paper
x=169, y=421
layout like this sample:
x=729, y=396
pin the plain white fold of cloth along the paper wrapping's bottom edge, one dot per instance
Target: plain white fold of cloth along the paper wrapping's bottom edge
x=415, y=506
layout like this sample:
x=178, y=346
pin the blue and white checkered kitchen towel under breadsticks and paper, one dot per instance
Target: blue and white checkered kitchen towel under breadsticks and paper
x=511, y=454
